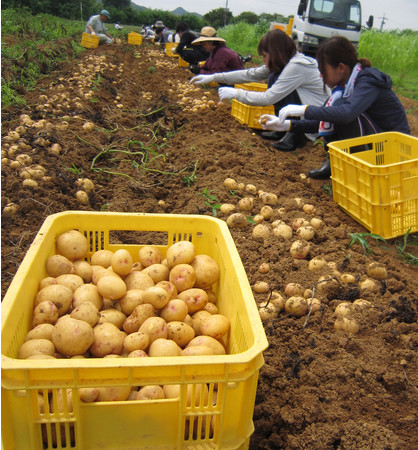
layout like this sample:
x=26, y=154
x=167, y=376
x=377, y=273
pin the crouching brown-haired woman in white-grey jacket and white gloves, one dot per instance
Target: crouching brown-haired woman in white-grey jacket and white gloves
x=292, y=78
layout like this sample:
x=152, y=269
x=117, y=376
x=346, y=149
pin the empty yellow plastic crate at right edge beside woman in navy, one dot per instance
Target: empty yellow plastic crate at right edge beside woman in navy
x=378, y=186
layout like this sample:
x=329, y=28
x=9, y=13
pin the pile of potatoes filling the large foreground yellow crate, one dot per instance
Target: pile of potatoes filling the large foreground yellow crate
x=114, y=306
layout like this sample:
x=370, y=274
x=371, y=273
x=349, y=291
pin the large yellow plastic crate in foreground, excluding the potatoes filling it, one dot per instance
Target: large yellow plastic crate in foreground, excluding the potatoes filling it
x=158, y=424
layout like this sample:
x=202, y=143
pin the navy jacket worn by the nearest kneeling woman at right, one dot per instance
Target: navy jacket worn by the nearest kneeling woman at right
x=372, y=95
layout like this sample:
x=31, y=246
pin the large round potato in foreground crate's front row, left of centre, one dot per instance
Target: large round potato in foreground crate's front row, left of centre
x=72, y=336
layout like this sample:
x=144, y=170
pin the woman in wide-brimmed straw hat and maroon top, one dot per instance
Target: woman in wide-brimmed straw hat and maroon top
x=221, y=58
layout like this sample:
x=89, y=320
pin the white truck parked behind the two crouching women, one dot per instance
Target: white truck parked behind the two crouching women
x=317, y=20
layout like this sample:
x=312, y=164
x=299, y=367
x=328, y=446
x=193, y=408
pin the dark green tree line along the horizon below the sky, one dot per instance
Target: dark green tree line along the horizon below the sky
x=124, y=12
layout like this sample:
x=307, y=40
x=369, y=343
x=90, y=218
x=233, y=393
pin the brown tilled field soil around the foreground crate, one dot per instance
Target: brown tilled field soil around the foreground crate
x=320, y=388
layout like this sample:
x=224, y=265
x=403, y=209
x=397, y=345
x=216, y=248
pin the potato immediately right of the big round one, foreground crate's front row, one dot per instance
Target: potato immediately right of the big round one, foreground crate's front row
x=107, y=339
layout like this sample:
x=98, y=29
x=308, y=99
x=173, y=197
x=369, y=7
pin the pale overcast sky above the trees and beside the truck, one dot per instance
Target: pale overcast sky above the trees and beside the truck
x=398, y=13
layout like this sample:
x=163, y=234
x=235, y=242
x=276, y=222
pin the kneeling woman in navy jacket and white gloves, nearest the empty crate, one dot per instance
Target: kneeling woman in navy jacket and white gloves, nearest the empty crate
x=362, y=101
